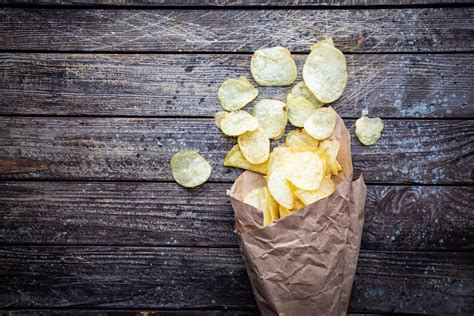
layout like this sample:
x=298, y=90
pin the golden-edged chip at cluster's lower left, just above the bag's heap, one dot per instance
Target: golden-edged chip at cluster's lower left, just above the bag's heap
x=255, y=146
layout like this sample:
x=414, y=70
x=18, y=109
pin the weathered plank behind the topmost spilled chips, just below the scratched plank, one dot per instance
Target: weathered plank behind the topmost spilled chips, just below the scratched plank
x=186, y=85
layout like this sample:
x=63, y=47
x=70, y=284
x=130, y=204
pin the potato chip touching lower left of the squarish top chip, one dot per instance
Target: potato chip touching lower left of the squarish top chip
x=234, y=94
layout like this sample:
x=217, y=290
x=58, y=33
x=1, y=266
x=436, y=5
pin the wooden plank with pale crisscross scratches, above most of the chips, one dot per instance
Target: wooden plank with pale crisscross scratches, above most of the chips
x=361, y=30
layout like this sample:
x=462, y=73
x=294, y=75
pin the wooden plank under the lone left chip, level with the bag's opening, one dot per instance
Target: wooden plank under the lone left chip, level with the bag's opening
x=410, y=151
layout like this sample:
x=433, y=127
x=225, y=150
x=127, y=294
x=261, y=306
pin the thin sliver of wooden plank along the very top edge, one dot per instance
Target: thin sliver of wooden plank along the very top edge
x=236, y=3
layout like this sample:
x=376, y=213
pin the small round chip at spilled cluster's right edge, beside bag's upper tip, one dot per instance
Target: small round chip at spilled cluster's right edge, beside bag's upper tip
x=321, y=123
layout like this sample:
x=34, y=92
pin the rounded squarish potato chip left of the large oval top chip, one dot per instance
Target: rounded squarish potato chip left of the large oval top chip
x=273, y=67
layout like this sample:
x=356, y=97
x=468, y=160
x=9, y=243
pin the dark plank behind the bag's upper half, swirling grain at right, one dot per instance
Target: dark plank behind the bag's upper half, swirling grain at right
x=161, y=214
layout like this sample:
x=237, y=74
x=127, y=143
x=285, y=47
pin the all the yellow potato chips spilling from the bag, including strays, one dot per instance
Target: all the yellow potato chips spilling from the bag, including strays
x=299, y=172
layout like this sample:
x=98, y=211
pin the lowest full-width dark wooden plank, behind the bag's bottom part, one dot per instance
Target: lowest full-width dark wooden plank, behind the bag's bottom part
x=122, y=277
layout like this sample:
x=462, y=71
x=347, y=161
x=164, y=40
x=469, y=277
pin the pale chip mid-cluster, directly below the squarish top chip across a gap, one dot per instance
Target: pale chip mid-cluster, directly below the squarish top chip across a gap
x=272, y=116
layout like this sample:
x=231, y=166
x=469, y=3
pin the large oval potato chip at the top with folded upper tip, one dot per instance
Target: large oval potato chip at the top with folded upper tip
x=325, y=71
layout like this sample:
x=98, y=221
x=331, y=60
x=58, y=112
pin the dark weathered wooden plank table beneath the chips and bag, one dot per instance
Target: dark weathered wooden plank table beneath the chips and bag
x=95, y=97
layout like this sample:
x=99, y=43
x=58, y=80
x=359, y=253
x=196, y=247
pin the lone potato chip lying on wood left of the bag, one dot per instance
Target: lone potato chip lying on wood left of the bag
x=189, y=168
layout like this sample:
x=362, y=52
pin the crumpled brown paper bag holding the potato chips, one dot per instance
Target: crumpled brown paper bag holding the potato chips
x=303, y=264
